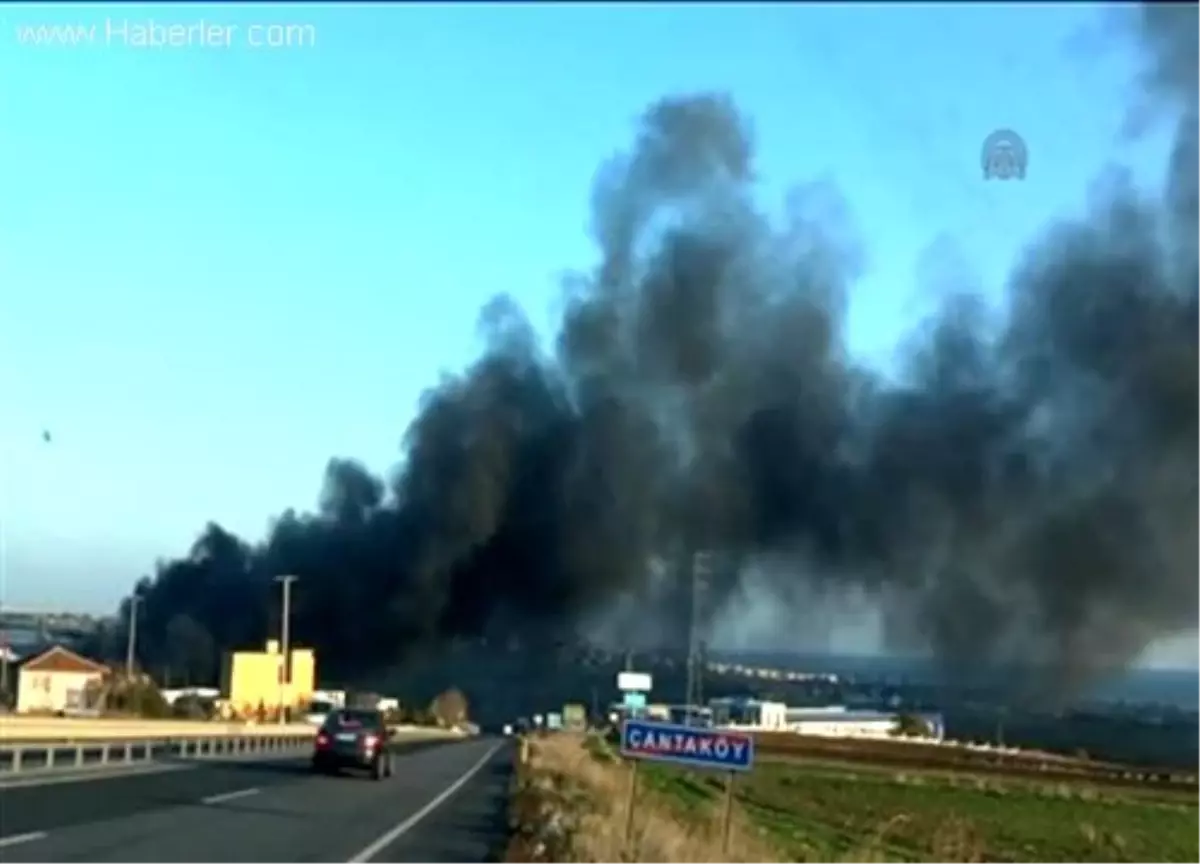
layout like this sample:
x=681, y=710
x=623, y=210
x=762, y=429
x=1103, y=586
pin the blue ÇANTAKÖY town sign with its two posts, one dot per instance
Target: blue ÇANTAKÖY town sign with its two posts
x=692, y=747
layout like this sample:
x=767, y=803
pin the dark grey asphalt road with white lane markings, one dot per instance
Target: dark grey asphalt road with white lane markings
x=445, y=806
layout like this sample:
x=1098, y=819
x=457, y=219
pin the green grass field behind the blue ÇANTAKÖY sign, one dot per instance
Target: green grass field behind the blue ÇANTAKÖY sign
x=823, y=813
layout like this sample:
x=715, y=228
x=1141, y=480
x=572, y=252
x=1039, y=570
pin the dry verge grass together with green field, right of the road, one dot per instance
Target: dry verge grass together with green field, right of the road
x=568, y=807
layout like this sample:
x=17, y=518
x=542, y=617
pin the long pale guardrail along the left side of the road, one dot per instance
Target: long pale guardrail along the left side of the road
x=50, y=757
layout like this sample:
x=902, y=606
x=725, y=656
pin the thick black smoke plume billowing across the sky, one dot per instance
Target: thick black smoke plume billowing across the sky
x=1027, y=491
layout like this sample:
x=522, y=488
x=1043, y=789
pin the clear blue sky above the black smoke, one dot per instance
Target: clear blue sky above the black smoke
x=220, y=267
